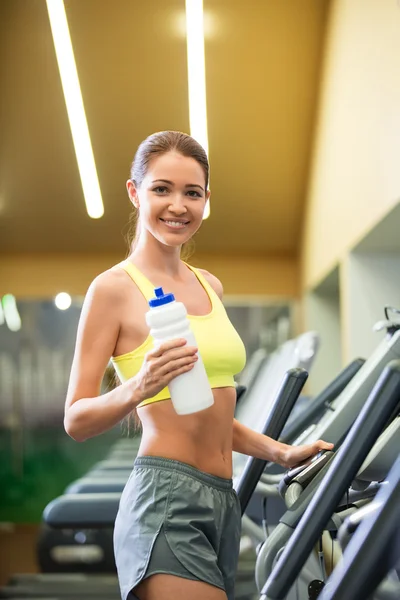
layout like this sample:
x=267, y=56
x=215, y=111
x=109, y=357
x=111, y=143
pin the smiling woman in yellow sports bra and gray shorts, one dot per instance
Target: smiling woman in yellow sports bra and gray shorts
x=178, y=528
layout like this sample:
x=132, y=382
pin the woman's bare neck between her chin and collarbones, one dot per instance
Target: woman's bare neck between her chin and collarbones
x=151, y=254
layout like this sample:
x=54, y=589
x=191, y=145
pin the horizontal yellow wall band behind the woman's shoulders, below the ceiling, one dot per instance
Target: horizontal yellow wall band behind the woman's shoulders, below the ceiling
x=46, y=275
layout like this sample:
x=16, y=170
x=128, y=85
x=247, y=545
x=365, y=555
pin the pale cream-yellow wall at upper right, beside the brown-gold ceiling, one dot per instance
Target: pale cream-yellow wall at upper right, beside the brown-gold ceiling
x=355, y=176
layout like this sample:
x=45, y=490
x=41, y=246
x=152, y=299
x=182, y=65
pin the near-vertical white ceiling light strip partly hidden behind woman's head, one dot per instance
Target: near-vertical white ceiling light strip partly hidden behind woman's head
x=197, y=76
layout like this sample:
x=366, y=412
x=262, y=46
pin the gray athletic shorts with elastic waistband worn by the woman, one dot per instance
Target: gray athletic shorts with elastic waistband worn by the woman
x=177, y=520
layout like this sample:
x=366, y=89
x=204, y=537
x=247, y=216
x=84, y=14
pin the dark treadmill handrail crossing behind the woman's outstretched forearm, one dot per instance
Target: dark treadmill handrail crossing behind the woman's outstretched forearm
x=292, y=384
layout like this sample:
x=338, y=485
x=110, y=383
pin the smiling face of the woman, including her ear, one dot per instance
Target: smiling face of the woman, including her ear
x=171, y=198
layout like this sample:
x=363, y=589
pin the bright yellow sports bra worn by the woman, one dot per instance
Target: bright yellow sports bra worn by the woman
x=221, y=349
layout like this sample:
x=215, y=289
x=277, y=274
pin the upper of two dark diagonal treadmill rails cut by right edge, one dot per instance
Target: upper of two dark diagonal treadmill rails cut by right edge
x=359, y=441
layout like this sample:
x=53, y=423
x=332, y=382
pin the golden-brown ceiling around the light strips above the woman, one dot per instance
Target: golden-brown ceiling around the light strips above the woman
x=263, y=63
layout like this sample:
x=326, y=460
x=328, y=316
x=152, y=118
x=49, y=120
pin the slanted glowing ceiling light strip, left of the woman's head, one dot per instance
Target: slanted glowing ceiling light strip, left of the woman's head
x=75, y=108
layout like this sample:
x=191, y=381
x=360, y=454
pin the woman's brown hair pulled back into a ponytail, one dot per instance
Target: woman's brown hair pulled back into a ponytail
x=155, y=145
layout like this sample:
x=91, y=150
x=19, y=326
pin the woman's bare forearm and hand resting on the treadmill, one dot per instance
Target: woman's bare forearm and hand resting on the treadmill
x=249, y=442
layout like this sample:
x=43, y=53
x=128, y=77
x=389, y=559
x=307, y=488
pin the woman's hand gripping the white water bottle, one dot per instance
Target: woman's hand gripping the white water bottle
x=162, y=364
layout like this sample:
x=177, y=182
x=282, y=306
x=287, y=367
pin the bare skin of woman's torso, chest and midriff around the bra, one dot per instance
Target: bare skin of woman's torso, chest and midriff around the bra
x=203, y=439
